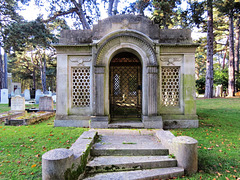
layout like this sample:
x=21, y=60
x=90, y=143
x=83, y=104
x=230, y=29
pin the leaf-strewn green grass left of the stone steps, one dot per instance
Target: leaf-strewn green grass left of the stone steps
x=22, y=147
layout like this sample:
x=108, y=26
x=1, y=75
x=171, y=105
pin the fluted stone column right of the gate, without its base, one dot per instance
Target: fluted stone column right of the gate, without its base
x=152, y=76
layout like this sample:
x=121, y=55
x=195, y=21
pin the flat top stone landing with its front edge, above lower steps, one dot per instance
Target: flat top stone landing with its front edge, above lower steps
x=131, y=145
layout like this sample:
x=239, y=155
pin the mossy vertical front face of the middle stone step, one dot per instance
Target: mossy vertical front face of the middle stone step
x=131, y=166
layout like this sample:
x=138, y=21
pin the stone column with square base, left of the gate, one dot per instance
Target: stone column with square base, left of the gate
x=98, y=120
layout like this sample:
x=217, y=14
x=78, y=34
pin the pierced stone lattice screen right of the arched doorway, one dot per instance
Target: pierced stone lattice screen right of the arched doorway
x=170, y=86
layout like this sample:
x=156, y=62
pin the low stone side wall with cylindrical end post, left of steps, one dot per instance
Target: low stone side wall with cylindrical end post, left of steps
x=68, y=163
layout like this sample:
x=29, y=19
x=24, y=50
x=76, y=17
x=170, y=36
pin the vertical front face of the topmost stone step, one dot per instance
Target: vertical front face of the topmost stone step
x=129, y=152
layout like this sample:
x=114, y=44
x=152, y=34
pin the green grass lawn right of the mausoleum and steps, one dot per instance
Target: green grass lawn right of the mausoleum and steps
x=218, y=137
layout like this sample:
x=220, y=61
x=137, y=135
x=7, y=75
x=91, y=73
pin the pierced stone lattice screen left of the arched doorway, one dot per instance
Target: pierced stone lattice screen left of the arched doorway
x=81, y=87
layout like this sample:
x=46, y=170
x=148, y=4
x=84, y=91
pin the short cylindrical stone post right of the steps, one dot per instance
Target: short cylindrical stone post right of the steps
x=185, y=149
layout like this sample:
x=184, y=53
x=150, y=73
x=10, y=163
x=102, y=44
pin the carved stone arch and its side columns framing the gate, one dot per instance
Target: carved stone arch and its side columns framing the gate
x=106, y=49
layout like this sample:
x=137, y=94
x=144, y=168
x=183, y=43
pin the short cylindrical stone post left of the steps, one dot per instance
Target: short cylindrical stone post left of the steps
x=55, y=163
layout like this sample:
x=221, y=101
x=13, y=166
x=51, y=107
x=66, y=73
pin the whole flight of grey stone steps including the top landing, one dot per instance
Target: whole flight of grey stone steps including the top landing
x=126, y=156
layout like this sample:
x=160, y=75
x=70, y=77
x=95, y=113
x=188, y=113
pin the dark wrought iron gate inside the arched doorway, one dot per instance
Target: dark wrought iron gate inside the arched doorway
x=125, y=86
